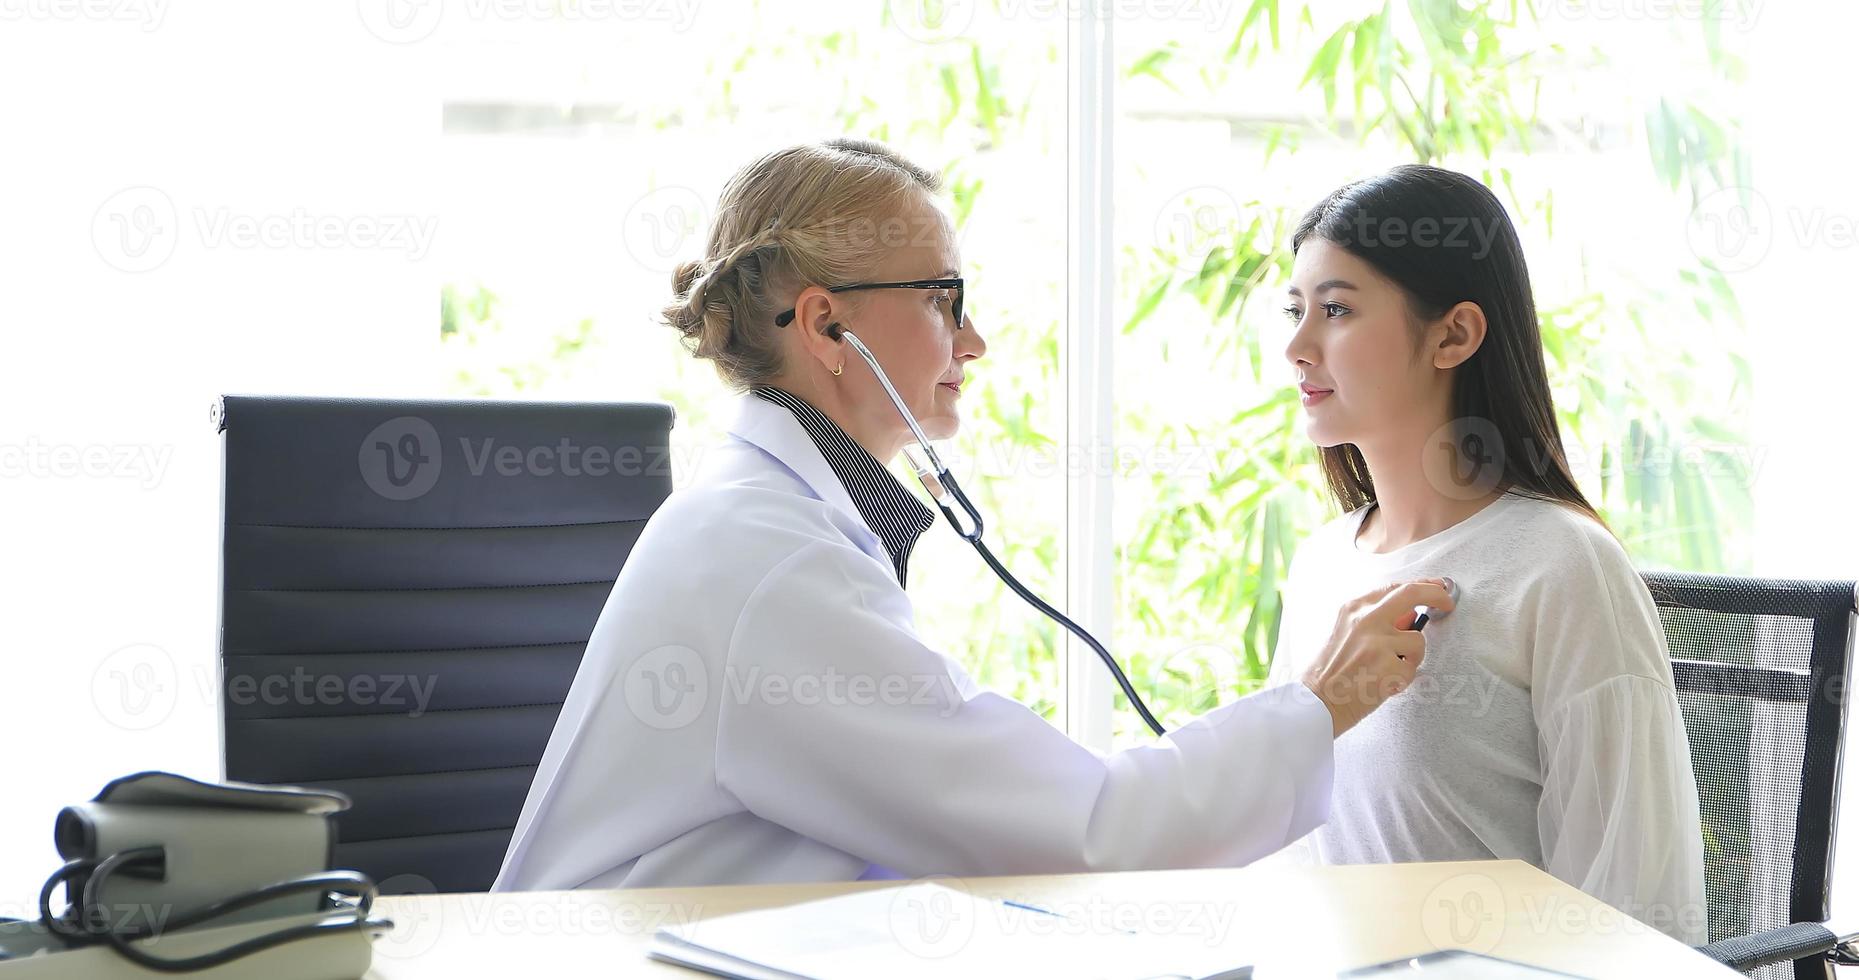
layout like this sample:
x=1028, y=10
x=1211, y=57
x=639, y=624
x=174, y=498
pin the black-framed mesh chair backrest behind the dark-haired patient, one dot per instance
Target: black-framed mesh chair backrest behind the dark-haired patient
x=1763, y=670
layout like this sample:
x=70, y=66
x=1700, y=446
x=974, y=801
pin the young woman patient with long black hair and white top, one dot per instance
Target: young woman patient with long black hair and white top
x=1542, y=724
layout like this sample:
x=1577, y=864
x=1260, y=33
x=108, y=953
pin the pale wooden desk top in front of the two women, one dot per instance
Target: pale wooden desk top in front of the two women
x=1289, y=921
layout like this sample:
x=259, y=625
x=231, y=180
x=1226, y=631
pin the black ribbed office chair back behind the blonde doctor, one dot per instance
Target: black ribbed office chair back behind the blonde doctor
x=406, y=594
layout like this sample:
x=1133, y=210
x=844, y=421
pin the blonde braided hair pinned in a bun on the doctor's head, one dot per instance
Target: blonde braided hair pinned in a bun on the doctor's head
x=797, y=217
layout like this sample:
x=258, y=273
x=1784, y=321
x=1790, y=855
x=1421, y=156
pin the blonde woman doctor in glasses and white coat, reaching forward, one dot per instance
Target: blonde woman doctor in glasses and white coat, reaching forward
x=756, y=704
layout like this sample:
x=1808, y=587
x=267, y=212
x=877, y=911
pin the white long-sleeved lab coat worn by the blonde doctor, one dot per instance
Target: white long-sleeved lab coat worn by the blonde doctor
x=756, y=706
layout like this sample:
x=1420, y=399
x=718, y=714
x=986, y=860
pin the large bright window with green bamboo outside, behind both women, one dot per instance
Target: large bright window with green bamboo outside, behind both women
x=1122, y=176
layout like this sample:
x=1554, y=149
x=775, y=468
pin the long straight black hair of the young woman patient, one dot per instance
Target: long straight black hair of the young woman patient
x=1445, y=239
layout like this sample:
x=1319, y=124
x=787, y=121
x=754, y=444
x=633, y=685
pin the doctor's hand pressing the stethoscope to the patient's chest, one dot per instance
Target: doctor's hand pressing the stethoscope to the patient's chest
x=1373, y=652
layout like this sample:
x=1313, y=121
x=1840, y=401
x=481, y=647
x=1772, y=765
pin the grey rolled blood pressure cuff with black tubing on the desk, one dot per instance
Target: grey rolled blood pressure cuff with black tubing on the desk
x=218, y=840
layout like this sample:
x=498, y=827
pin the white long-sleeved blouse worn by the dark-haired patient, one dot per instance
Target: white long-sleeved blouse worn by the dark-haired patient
x=1542, y=726
